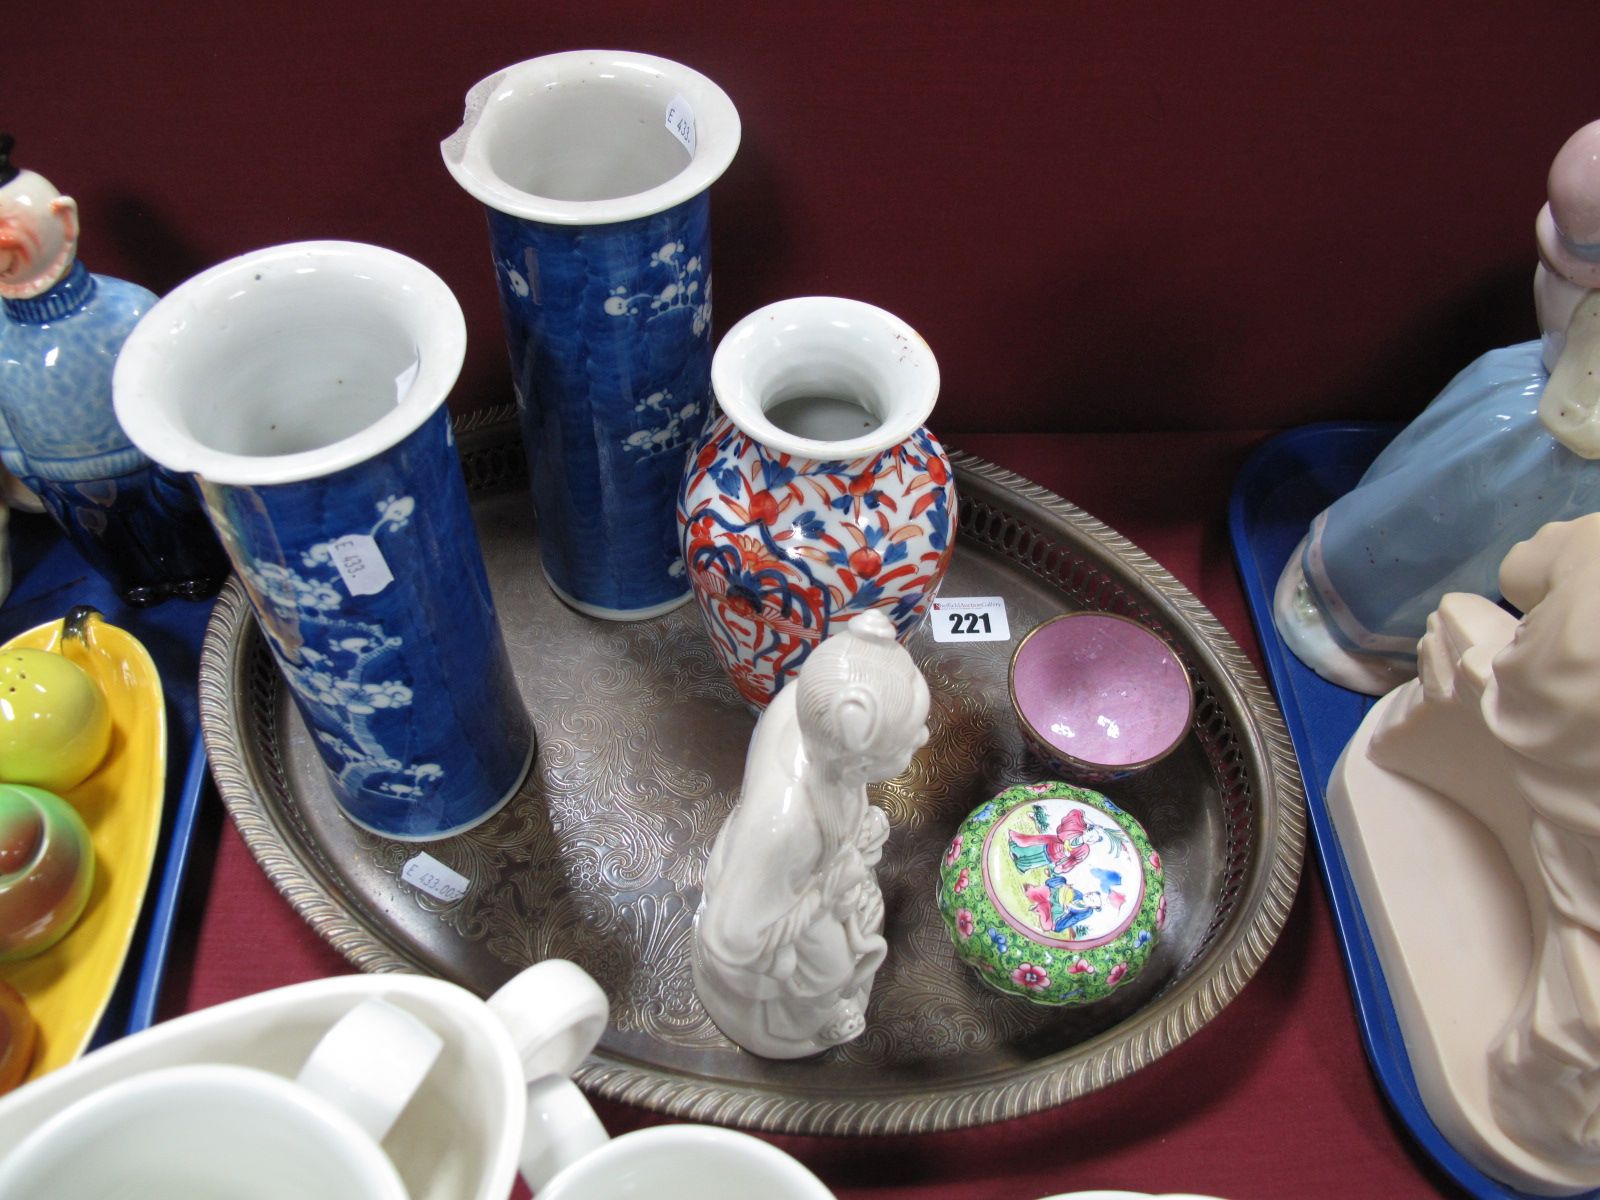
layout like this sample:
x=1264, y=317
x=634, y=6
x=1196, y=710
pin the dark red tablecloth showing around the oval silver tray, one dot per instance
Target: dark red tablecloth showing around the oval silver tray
x=1271, y=1100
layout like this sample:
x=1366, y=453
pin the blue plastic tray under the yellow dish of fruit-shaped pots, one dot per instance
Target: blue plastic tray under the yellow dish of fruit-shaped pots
x=49, y=580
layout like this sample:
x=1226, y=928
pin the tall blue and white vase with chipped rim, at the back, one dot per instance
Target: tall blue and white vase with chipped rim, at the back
x=594, y=169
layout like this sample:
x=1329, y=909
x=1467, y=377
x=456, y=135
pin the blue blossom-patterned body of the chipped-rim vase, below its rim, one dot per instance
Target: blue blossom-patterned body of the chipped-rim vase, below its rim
x=609, y=330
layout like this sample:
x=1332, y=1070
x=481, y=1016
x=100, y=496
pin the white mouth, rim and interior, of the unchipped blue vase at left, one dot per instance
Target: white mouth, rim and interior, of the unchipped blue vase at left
x=290, y=362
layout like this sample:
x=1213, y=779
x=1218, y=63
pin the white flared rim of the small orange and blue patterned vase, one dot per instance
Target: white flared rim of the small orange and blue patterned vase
x=910, y=407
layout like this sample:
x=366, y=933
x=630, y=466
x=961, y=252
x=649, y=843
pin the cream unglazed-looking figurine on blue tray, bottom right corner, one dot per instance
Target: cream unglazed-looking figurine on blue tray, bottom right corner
x=1468, y=807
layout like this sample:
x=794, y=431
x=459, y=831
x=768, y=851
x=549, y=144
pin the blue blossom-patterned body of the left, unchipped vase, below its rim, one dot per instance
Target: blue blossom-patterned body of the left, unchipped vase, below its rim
x=404, y=681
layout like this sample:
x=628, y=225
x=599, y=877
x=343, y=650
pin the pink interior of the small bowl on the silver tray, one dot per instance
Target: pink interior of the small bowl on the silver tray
x=1102, y=690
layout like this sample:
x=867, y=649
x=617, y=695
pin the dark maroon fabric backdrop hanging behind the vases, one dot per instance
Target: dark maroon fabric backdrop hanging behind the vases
x=1102, y=217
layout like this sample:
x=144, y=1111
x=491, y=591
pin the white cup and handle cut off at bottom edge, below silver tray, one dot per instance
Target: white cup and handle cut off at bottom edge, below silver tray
x=567, y=1156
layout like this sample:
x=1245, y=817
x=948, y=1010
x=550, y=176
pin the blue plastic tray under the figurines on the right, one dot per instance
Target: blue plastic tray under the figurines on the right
x=1284, y=486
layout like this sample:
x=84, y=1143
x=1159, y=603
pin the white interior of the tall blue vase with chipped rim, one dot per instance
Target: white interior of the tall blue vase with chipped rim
x=586, y=140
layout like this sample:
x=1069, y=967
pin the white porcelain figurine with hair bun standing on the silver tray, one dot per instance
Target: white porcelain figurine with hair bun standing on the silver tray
x=790, y=930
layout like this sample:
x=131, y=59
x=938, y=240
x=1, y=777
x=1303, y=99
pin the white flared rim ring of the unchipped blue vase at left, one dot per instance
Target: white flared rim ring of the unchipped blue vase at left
x=146, y=407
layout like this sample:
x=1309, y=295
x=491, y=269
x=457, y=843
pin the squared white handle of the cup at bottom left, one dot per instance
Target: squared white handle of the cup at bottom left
x=372, y=1063
